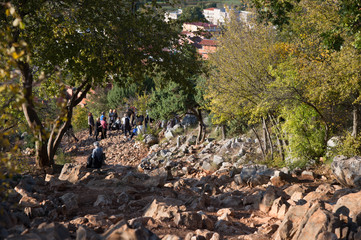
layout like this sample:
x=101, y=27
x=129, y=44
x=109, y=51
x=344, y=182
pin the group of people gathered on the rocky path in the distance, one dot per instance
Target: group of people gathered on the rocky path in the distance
x=125, y=124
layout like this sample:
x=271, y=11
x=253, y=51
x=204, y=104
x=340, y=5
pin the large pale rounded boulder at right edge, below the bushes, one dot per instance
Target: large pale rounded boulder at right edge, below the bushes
x=347, y=170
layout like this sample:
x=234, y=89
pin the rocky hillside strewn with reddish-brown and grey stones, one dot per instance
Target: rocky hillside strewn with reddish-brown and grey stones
x=177, y=190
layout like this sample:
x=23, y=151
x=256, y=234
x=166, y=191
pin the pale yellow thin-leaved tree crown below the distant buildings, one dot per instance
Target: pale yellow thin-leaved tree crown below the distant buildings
x=237, y=85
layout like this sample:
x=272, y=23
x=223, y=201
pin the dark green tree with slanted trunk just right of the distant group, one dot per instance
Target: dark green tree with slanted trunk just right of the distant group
x=179, y=91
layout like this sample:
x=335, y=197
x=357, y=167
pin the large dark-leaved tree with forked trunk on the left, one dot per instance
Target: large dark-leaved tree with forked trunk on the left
x=81, y=45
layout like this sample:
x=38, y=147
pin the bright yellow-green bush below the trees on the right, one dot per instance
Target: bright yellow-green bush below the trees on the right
x=305, y=134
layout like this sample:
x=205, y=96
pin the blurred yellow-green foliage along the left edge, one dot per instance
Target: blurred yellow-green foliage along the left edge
x=11, y=99
